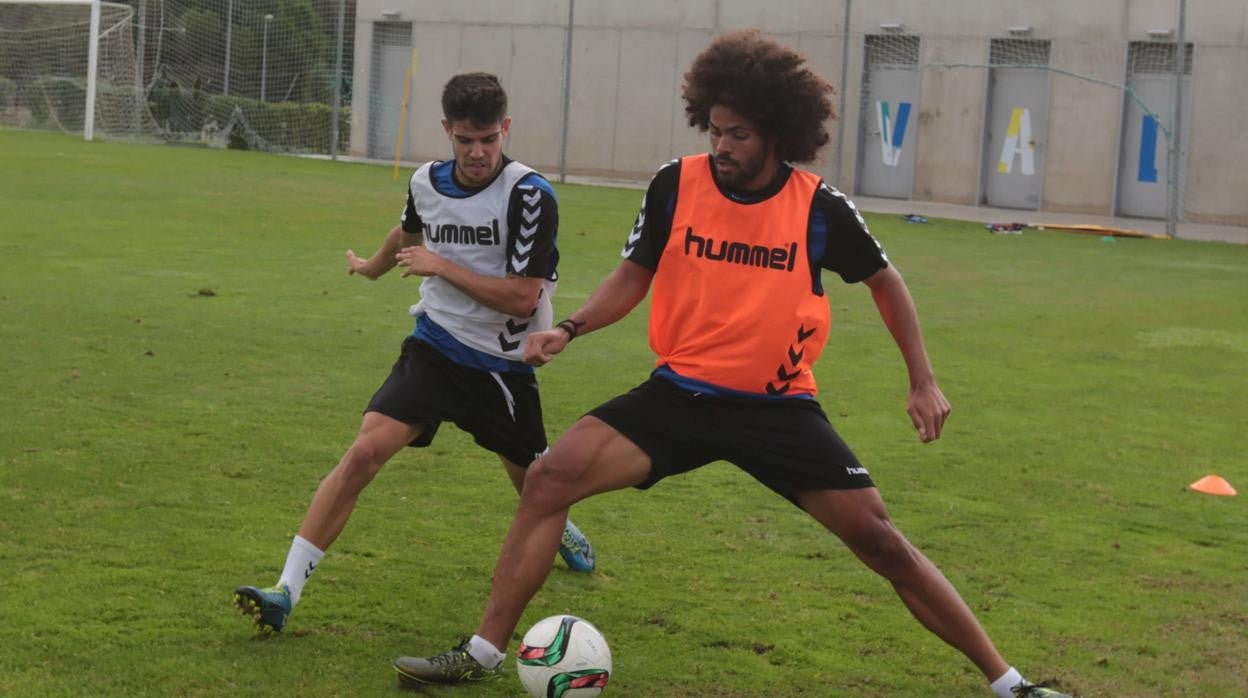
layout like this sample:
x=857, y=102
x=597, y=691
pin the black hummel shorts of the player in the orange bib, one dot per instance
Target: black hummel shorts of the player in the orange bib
x=787, y=445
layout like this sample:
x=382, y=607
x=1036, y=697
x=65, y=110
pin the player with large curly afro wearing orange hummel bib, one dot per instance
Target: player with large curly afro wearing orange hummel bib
x=731, y=247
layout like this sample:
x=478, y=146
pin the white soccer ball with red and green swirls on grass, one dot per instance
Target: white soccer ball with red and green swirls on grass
x=563, y=656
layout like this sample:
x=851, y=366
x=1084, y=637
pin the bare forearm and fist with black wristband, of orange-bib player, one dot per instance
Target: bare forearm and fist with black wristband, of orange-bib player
x=615, y=298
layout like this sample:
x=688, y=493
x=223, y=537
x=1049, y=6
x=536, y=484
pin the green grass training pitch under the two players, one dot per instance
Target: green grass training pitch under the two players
x=184, y=358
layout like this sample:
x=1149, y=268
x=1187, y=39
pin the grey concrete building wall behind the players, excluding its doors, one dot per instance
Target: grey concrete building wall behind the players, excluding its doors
x=628, y=62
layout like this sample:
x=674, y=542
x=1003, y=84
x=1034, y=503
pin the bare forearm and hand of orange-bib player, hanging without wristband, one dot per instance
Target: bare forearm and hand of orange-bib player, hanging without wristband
x=928, y=406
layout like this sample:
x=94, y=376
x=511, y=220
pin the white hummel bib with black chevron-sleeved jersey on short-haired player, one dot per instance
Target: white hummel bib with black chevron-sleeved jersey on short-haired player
x=507, y=228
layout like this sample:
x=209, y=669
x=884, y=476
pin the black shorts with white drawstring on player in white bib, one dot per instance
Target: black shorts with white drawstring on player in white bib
x=501, y=411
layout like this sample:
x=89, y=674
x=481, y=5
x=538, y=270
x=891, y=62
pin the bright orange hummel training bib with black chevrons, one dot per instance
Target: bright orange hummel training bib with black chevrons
x=733, y=302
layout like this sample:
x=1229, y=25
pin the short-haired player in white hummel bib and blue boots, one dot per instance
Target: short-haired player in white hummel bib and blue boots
x=481, y=232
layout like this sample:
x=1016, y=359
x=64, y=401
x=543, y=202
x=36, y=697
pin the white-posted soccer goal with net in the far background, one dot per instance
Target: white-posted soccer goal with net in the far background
x=71, y=66
